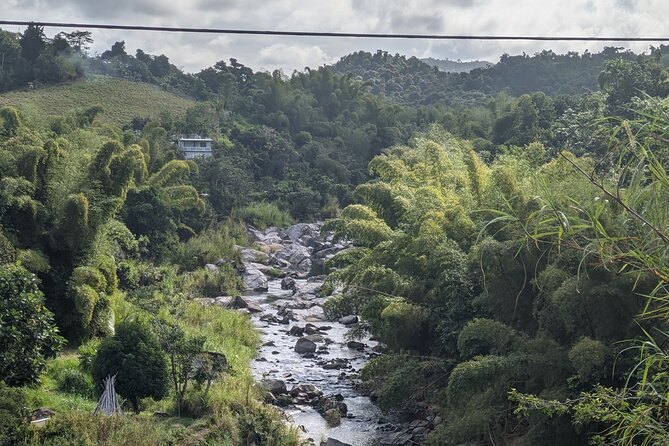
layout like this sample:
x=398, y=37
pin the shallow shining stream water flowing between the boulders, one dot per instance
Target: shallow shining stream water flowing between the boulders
x=278, y=360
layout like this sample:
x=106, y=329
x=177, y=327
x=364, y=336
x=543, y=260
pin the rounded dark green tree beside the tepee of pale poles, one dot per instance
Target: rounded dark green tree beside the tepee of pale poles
x=134, y=355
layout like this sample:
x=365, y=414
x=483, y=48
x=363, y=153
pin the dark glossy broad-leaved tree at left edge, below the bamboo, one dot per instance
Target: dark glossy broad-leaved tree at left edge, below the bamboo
x=27, y=332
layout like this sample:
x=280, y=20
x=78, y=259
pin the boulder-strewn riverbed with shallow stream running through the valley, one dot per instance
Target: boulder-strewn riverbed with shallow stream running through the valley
x=306, y=363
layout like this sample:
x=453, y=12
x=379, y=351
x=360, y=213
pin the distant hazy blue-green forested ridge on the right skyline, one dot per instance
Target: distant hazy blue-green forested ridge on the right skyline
x=412, y=81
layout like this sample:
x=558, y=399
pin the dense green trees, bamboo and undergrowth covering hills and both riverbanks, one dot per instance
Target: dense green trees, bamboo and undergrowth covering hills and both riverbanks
x=510, y=231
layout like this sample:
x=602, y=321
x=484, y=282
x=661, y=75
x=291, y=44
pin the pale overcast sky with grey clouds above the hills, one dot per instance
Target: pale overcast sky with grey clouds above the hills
x=194, y=52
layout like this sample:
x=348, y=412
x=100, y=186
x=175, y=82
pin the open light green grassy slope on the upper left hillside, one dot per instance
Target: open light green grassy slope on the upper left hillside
x=121, y=99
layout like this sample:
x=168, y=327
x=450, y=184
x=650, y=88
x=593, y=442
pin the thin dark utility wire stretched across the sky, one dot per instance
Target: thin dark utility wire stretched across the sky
x=331, y=34
